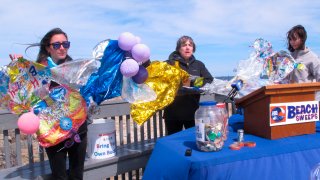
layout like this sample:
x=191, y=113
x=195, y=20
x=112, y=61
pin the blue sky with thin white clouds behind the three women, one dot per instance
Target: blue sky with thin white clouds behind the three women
x=222, y=30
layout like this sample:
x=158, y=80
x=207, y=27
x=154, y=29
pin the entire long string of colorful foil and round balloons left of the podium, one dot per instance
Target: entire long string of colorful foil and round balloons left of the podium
x=118, y=69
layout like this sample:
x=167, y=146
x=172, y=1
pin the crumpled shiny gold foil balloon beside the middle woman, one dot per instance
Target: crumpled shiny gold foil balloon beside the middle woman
x=165, y=80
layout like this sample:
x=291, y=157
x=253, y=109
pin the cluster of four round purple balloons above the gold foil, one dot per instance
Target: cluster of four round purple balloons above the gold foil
x=138, y=54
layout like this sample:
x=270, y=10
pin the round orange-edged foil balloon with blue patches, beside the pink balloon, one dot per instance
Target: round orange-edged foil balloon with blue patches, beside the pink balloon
x=65, y=113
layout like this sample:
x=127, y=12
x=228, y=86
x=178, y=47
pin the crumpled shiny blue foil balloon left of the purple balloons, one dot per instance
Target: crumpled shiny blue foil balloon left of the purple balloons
x=107, y=82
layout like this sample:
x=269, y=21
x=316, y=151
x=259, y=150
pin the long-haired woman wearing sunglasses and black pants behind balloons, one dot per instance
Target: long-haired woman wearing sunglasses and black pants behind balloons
x=55, y=45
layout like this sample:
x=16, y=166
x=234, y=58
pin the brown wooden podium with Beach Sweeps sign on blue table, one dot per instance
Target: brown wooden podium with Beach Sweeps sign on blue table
x=259, y=109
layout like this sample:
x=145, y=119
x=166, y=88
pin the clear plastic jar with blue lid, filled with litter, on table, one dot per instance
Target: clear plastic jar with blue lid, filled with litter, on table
x=209, y=127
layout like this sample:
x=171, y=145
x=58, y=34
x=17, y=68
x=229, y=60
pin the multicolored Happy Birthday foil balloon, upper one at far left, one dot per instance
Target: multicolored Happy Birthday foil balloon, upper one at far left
x=26, y=79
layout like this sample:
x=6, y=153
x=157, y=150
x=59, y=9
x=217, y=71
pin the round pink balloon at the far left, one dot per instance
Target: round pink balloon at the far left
x=28, y=123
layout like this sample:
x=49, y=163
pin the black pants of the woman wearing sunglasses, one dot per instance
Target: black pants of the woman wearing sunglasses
x=76, y=154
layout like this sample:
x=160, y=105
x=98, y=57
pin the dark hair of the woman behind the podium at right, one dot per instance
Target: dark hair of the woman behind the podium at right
x=300, y=31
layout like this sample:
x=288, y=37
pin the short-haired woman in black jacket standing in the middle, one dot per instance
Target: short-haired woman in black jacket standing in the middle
x=181, y=112
